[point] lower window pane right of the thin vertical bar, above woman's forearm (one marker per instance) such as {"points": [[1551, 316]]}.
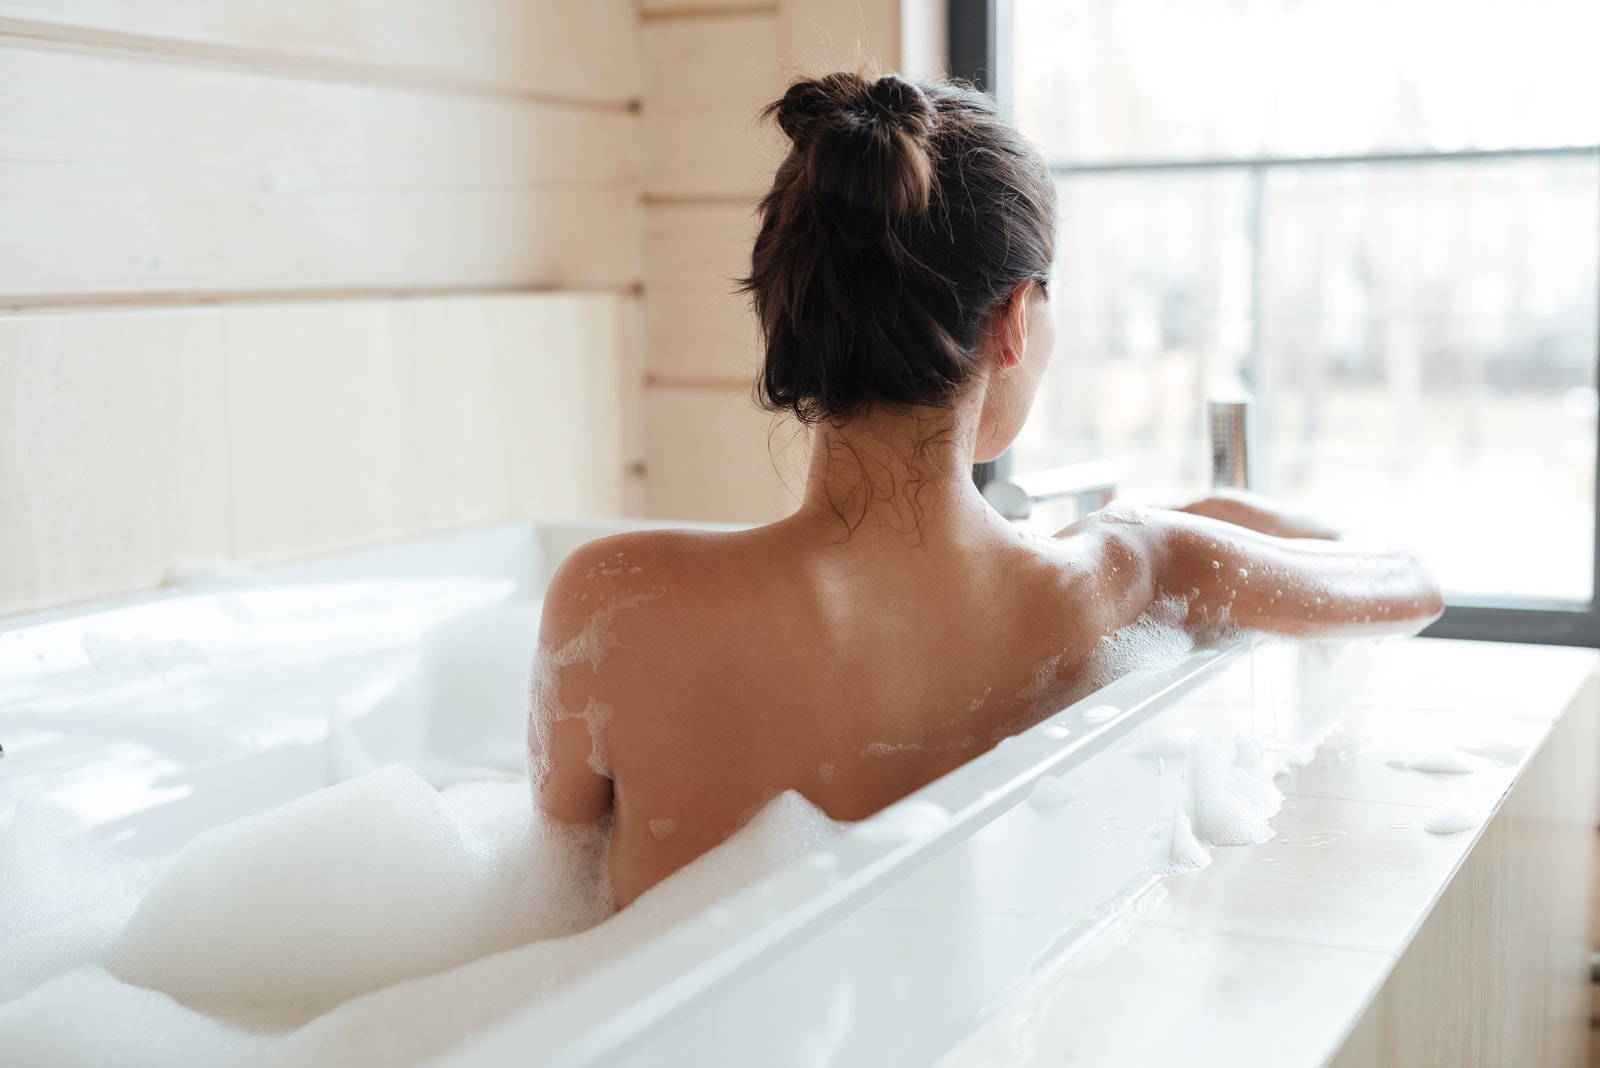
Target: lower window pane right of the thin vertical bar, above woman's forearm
{"points": [[1430, 361]]}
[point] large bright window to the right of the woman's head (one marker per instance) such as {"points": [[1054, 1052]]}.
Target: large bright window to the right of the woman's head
{"points": [[1382, 221]]}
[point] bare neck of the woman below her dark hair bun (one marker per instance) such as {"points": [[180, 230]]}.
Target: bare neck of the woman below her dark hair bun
{"points": [[905, 476]]}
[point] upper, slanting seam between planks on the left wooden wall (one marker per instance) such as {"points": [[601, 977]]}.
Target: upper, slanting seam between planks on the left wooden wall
{"points": [[73, 39]]}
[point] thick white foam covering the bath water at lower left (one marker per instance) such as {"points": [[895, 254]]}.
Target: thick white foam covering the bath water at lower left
{"points": [[377, 922]]}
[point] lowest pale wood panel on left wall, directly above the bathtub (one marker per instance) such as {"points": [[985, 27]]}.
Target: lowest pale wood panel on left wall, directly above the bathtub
{"points": [[278, 431]]}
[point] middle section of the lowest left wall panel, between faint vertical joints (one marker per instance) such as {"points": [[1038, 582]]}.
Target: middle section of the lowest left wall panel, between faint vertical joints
{"points": [[337, 426]]}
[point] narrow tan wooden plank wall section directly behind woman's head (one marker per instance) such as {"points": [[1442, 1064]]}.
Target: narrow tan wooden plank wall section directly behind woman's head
{"points": [[710, 70]]}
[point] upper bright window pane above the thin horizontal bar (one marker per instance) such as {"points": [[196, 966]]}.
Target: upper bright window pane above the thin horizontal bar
{"points": [[1215, 79]]}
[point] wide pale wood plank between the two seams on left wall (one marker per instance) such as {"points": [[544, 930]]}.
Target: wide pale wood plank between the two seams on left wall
{"points": [[132, 177]]}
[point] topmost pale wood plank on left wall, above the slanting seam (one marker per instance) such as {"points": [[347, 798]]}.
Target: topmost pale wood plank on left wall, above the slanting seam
{"points": [[530, 47]]}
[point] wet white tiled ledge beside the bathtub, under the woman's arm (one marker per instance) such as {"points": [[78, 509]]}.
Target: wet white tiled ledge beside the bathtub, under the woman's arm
{"points": [[1273, 955]]}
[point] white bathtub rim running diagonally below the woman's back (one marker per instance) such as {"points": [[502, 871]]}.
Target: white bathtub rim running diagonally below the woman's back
{"points": [[620, 1006]]}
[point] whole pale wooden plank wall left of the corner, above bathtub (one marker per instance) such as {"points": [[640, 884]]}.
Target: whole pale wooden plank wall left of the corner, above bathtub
{"points": [[279, 279]]}
